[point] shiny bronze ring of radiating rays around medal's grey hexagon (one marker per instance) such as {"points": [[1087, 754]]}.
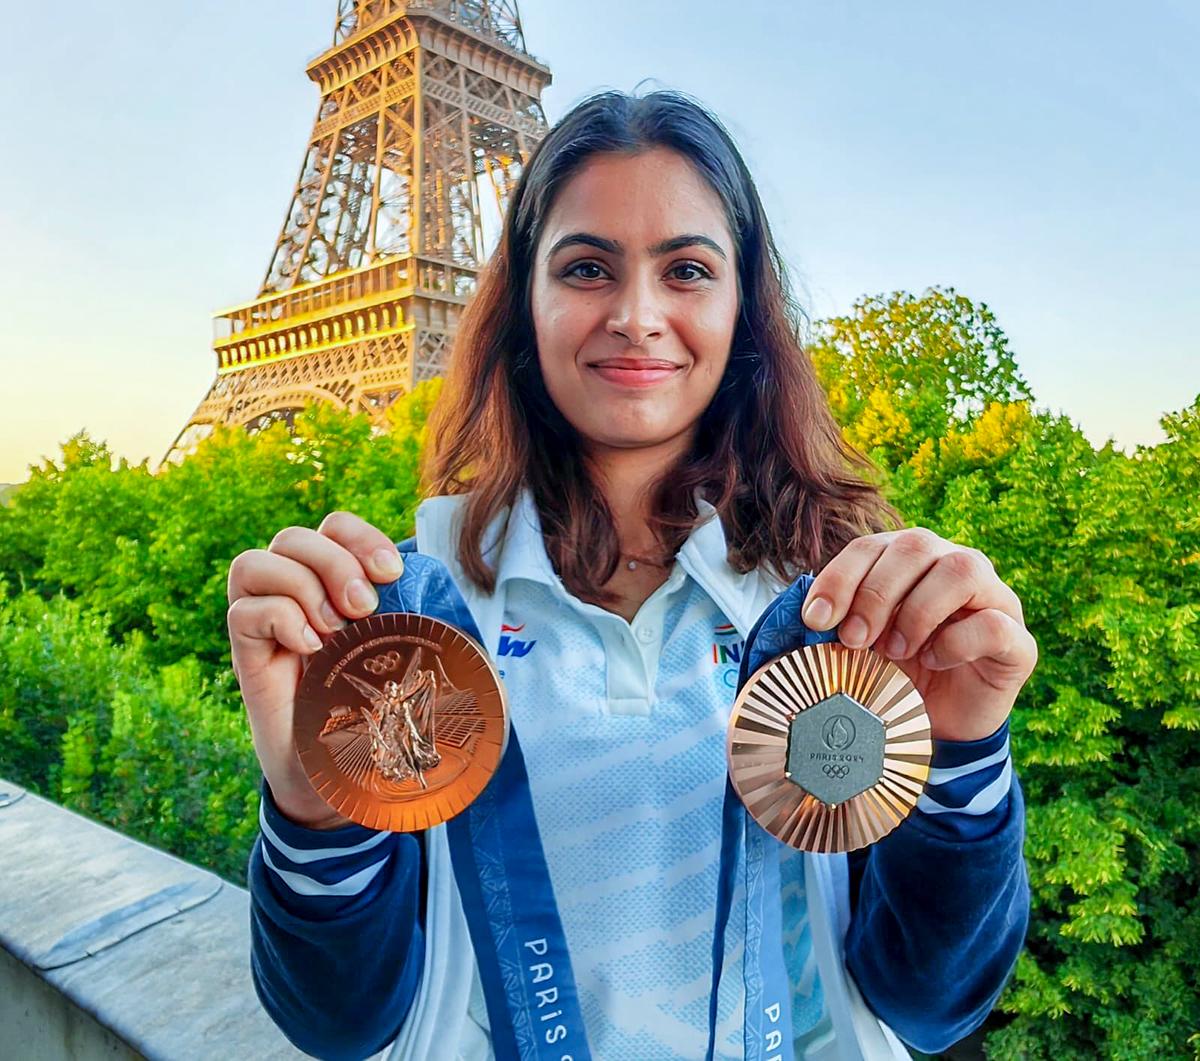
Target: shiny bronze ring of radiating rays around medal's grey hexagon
{"points": [[759, 736]]}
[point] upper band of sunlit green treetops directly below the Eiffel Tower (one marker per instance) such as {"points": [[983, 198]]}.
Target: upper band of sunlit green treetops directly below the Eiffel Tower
{"points": [[153, 553]]}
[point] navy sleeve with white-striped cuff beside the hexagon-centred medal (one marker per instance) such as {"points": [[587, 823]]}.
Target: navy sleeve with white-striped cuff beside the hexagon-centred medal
{"points": [[941, 904]]}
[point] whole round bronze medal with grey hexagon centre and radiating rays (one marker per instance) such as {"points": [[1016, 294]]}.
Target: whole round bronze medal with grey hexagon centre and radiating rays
{"points": [[830, 747]]}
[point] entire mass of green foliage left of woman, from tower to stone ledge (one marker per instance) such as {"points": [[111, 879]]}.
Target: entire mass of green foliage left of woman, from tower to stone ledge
{"points": [[117, 697]]}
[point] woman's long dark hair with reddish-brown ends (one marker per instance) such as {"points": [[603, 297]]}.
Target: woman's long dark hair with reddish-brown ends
{"points": [[769, 455]]}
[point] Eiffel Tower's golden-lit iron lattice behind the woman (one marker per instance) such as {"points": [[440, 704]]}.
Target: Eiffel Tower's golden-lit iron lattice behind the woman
{"points": [[428, 112]]}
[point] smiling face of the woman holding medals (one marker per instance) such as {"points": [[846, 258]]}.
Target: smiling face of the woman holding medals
{"points": [[635, 301]]}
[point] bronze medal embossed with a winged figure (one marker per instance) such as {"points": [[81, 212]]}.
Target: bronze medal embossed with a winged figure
{"points": [[400, 722]]}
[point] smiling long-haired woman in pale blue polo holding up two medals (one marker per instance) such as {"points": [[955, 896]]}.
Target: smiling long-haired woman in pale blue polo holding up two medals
{"points": [[632, 463]]}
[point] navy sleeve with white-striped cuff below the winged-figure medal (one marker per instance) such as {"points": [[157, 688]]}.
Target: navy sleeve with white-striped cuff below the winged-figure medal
{"points": [[337, 932]]}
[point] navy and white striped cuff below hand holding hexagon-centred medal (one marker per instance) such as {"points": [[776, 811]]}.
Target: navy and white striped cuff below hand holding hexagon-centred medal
{"points": [[970, 782]]}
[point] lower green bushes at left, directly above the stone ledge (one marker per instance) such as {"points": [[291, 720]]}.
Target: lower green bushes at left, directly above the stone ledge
{"points": [[164, 754]]}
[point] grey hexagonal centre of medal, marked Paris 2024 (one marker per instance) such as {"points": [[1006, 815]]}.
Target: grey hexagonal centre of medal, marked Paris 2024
{"points": [[836, 750]]}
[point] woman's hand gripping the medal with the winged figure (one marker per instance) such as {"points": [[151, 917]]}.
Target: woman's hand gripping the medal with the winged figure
{"points": [[305, 584]]}
